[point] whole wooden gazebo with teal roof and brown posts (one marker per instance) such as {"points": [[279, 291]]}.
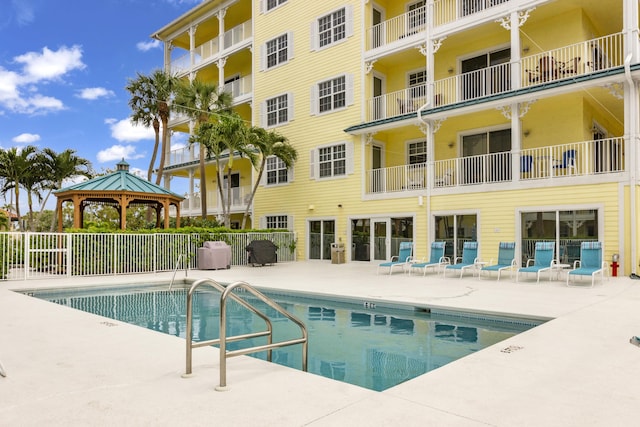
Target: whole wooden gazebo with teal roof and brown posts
{"points": [[118, 189]]}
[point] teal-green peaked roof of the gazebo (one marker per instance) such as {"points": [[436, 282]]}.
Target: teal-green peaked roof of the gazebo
{"points": [[120, 180]]}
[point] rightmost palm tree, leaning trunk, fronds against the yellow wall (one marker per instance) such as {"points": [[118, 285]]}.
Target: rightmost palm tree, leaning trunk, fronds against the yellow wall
{"points": [[268, 143]]}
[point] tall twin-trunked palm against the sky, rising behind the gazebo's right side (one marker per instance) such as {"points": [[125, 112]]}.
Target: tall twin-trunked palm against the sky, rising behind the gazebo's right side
{"points": [[150, 97]]}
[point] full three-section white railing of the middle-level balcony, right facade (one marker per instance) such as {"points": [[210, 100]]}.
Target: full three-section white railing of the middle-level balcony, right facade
{"points": [[584, 58]]}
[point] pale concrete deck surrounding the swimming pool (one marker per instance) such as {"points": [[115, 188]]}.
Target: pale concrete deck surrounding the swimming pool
{"points": [[66, 367]]}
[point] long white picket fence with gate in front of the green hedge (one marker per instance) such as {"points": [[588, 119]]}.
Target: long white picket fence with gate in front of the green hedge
{"points": [[41, 255]]}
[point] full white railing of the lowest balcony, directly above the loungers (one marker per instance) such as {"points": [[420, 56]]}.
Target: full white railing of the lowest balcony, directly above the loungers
{"points": [[551, 163]]}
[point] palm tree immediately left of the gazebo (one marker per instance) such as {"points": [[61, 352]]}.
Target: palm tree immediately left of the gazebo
{"points": [[62, 166]]}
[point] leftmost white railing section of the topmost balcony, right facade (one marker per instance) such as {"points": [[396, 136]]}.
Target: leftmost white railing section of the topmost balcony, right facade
{"points": [[397, 28]]}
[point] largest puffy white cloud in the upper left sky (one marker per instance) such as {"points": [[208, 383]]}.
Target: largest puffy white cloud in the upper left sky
{"points": [[50, 65]]}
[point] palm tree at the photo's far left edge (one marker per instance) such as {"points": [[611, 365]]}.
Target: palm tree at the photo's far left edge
{"points": [[15, 166]]}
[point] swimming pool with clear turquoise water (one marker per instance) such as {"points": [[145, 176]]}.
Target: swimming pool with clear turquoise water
{"points": [[370, 344]]}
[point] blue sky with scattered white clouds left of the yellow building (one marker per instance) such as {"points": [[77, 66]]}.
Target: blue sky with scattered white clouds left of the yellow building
{"points": [[64, 65]]}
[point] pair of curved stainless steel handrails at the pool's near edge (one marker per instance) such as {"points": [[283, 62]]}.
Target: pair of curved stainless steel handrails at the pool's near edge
{"points": [[227, 292]]}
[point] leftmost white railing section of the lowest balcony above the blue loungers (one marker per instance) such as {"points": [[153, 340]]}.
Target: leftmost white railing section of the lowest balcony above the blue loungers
{"points": [[396, 178]]}
